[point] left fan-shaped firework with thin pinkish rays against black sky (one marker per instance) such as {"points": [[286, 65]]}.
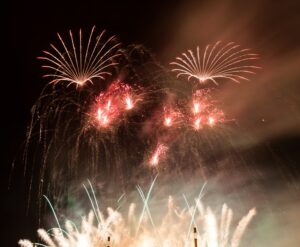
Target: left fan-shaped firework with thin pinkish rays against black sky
{"points": [[78, 63]]}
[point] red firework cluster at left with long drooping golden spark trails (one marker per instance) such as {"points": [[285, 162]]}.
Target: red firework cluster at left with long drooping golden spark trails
{"points": [[81, 133]]}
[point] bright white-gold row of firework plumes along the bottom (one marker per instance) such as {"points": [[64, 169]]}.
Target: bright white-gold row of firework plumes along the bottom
{"points": [[138, 227]]}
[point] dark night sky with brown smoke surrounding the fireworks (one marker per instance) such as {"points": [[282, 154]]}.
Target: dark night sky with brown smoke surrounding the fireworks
{"points": [[166, 28]]}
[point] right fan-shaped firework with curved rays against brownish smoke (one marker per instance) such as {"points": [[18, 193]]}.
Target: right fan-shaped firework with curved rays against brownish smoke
{"points": [[228, 62]]}
